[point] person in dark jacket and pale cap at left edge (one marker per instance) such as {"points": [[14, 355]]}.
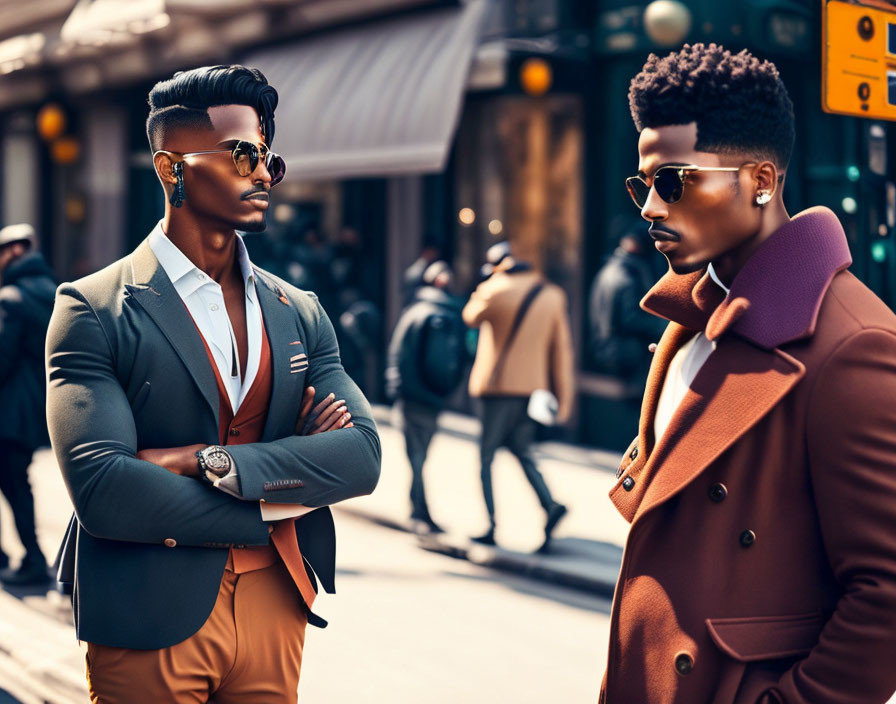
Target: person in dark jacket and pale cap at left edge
{"points": [[27, 289]]}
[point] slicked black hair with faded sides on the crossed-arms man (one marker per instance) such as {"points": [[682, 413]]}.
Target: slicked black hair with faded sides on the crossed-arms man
{"points": [[183, 100]]}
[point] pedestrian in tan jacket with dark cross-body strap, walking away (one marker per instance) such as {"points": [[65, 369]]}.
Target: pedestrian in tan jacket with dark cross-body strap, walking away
{"points": [[524, 347]]}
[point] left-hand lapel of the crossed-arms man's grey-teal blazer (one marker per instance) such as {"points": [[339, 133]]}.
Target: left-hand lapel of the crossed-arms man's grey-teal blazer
{"points": [[155, 293]]}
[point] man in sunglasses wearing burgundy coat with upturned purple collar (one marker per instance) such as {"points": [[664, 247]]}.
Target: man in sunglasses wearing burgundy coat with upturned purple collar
{"points": [[760, 567]]}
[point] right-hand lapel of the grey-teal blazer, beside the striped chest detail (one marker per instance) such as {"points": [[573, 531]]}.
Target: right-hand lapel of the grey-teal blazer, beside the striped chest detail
{"points": [[281, 325]]}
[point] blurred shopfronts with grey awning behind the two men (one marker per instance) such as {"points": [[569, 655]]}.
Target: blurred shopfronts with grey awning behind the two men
{"points": [[407, 125]]}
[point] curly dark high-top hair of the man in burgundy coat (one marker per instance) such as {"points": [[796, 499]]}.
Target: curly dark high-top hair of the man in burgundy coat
{"points": [[739, 103]]}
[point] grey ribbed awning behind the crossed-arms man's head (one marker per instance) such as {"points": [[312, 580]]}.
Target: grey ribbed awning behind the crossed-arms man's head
{"points": [[375, 99]]}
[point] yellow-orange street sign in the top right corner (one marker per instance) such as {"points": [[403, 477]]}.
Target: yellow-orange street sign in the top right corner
{"points": [[859, 58]]}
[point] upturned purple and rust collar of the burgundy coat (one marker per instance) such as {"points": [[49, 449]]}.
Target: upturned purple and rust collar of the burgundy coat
{"points": [[775, 297]]}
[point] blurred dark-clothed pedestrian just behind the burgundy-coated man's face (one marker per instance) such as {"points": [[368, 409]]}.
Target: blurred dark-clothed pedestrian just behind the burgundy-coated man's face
{"points": [[620, 331]]}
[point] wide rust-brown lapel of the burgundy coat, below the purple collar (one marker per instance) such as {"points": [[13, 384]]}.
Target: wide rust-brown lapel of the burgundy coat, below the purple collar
{"points": [[738, 385]]}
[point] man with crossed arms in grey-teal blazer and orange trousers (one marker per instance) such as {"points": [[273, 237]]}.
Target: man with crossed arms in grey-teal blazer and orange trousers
{"points": [[181, 380]]}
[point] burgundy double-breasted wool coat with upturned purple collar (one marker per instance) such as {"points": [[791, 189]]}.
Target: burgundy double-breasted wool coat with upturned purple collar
{"points": [[760, 565]]}
